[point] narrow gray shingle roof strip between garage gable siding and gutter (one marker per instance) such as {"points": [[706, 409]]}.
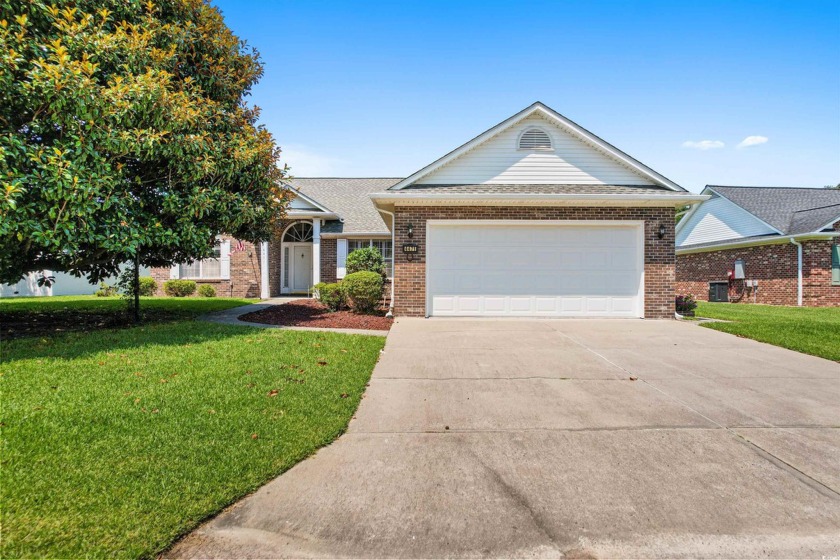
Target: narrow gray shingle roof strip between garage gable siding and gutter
{"points": [[541, 189]]}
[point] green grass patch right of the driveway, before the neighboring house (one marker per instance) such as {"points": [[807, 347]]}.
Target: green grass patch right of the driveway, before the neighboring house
{"points": [[812, 330]]}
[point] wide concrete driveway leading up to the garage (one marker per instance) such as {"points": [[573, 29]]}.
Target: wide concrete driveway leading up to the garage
{"points": [[553, 438]]}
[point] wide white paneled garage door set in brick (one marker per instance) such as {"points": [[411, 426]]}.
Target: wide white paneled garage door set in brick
{"points": [[534, 269]]}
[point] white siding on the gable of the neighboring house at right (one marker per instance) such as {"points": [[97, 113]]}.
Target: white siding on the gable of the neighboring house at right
{"points": [[718, 219]]}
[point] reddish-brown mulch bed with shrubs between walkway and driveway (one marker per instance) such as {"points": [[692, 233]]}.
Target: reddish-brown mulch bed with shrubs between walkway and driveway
{"points": [[312, 313]]}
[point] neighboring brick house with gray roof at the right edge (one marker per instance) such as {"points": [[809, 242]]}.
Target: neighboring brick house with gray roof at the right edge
{"points": [[784, 239]]}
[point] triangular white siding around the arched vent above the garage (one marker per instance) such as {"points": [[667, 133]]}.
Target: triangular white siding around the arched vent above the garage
{"points": [[500, 161]]}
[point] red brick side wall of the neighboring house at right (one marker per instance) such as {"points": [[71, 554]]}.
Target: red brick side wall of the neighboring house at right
{"points": [[774, 266]]}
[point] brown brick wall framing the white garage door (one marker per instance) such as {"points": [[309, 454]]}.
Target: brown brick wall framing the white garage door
{"points": [[410, 298]]}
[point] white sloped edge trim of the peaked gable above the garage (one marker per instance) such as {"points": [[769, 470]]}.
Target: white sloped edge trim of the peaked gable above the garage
{"points": [[570, 127]]}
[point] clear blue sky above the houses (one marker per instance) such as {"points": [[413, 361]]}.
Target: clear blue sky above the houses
{"points": [[384, 88]]}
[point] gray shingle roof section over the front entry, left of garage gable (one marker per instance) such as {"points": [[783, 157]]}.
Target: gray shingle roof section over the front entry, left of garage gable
{"points": [[350, 199]]}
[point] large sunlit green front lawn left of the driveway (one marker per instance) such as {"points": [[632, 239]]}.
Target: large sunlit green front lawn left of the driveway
{"points": [[37, 364]]}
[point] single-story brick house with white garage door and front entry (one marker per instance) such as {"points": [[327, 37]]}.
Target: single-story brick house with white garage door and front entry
{"points": [[536, 216]]}
